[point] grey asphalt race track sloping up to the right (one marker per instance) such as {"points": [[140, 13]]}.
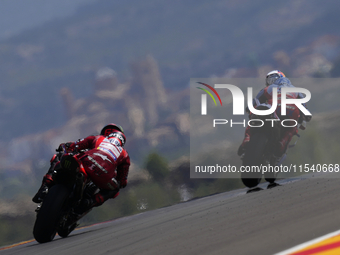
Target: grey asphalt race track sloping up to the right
{"points": [[263, 222]]}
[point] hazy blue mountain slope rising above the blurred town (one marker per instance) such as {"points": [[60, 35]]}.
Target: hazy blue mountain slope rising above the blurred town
{"points": [[187, 38]]}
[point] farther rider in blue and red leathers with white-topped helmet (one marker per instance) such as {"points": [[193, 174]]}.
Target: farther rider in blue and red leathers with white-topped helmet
{"points": [[277, 79]]}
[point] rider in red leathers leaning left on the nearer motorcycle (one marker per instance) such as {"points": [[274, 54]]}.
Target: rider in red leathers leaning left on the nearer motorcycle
{"points": [[105, 160]]}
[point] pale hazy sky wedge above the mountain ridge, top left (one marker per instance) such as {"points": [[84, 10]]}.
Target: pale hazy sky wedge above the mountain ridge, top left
{"points": [[18, 15]]}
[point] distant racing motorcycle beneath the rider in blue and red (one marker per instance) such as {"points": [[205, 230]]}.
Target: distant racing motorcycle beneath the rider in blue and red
{"points": [[259, 151]]}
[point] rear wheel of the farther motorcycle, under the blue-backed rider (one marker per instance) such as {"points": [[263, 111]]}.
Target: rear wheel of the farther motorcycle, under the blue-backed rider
{"points": [[254, 157]]}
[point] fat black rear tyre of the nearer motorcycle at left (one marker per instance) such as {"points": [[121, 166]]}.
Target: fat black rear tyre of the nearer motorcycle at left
{"points": [[45, 227]]}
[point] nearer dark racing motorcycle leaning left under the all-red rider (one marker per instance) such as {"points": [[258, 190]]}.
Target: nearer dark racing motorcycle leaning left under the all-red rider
{"points": [[56, 213]]}
